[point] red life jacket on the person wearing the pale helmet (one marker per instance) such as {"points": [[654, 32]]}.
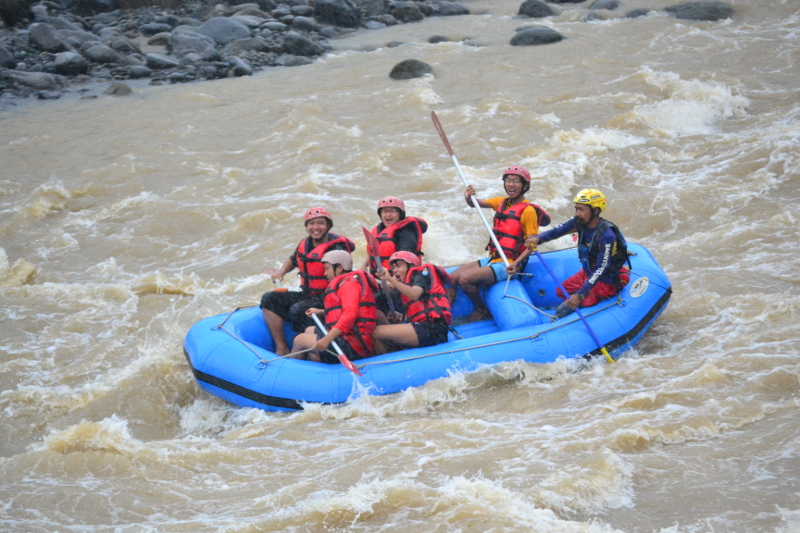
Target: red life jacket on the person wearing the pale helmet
{"points": [[360, 336]]}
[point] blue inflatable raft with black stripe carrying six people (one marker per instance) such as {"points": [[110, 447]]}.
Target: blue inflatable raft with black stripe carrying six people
{"points": [[231, 354]]}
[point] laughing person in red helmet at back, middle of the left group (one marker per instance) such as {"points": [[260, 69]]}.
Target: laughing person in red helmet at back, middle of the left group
{"points": [[396, 232]]}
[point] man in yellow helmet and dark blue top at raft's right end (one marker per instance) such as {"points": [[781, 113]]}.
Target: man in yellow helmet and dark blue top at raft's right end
{"points": [[602, 251]]}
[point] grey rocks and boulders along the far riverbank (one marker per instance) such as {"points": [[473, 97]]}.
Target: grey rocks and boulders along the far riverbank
{"points": [[48, 46]]}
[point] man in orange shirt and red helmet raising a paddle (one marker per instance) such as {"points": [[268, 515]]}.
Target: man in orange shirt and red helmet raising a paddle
{"points": [[515, 218]]}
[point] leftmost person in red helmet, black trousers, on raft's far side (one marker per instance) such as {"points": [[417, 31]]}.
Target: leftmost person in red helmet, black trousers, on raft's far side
{"points": [[291, 306]]}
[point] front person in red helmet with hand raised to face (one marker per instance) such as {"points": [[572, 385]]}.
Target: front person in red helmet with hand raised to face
{"points": [[423, 291]]}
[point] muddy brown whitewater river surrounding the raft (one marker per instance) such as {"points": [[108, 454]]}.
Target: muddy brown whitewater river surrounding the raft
{"points": [[123, 221]]}
